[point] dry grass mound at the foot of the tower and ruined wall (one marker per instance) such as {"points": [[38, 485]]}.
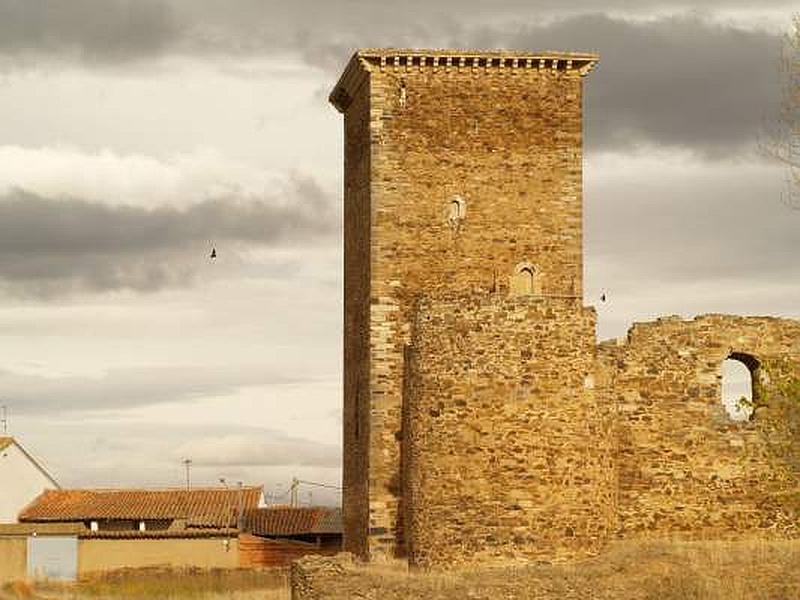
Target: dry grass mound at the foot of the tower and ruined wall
{"points": [[751, 570]]}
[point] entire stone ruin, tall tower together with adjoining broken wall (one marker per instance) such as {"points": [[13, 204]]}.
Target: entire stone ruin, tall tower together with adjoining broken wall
{"points": [[482, 422]]}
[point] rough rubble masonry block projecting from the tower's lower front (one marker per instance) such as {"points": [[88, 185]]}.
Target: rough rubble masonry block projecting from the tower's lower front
{"points": [[509, 453]]}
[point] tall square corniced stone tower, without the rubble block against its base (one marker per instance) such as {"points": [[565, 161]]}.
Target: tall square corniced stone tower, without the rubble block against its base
{"points": [[462, 176]]}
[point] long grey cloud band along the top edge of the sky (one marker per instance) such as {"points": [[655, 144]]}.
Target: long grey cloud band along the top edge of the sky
{"points": [[123, 30]]}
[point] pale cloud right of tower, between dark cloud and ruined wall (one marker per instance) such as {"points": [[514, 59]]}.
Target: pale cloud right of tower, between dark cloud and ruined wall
{"points": [[688, 238]]}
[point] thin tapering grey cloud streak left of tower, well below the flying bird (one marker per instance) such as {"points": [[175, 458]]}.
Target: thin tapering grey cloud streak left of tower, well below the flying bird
{"points": [[120, 389]]}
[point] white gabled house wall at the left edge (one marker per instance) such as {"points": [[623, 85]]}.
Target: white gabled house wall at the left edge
{"points": [[22, 479]]}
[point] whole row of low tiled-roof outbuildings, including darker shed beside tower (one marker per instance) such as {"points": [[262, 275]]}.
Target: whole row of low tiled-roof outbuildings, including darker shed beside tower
{"points": [[68, 534]]}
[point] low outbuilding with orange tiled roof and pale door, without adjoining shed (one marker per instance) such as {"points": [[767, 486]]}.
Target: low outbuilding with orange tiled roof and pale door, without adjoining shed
{"points": [[66, 534]]}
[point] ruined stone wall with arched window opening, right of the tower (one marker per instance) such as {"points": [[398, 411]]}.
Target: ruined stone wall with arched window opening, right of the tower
{"points": [[685, 468]]}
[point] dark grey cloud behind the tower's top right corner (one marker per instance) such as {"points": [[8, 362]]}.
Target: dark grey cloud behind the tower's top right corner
{"points": [[679, 81]]}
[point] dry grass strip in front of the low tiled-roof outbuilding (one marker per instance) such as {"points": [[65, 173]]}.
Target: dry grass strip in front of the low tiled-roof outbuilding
{"points": [[149, 584]]}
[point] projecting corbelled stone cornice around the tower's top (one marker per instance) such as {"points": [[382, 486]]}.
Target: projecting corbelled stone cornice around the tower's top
{"points": [[399, 59]]}
